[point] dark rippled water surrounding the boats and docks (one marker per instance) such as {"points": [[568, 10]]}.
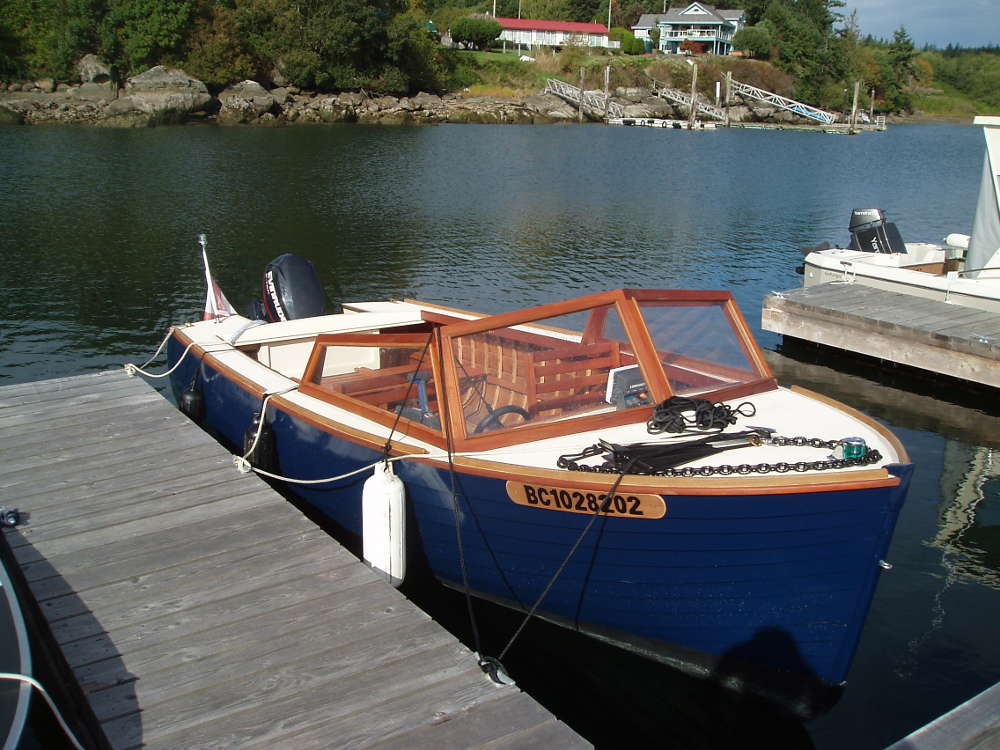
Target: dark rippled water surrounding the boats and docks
{"points": [[99, 256]]}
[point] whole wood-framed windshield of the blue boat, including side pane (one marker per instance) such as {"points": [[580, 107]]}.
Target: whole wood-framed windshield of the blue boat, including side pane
{"points": [[581, 364]]}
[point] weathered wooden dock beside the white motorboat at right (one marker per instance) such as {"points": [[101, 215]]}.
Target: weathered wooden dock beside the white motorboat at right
{"points": [[940, 338]]}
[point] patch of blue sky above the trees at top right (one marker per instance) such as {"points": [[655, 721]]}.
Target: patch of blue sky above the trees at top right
{"points": [[969, 23]]}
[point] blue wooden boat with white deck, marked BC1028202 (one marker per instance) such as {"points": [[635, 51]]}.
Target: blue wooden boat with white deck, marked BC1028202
{"points": [[540, 470]]}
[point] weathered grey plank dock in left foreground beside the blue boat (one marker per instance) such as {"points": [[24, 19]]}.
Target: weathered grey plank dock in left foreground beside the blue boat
{"points": [[197, 608]]}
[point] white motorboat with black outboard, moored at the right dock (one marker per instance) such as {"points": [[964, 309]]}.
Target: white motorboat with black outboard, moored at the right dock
{"points": [[963, 271]]}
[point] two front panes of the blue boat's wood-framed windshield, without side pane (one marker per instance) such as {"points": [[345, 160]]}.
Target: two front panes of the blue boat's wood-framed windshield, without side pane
{"points": [[612, 354]]}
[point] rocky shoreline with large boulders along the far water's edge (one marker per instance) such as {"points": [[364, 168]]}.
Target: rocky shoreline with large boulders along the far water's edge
{"points": [[168, 96]]}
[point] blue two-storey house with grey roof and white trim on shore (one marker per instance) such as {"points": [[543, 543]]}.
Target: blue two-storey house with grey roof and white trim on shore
{"points": [[699, 23]]}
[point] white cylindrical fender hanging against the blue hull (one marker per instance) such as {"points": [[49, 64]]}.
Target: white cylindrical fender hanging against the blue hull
{"points": [[383, 523]]}
